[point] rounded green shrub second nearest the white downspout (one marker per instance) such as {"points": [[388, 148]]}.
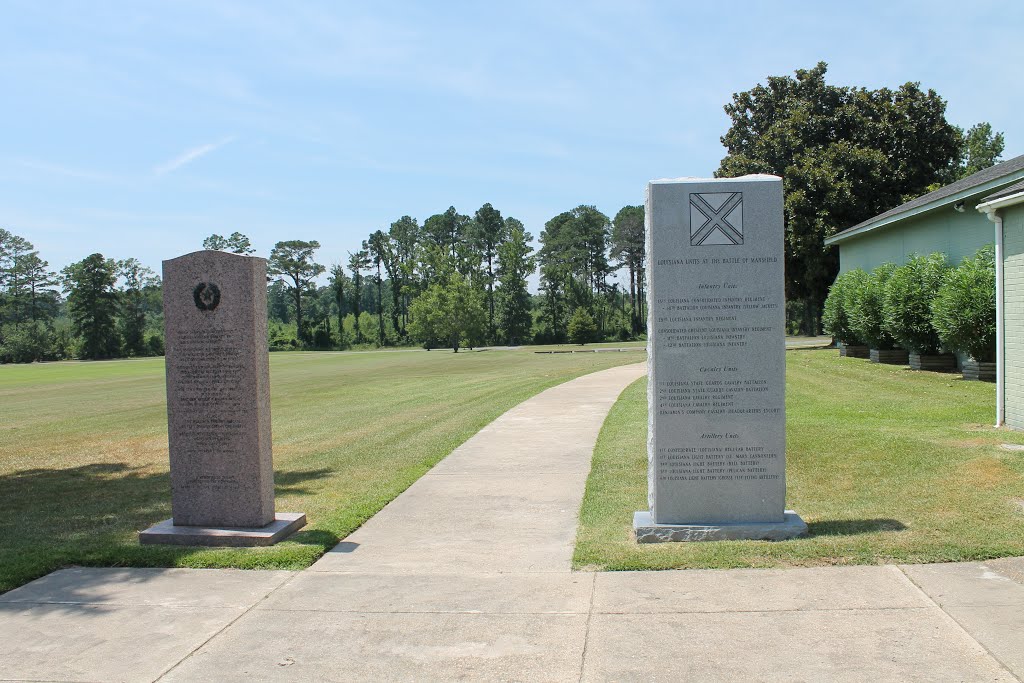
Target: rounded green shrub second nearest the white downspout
{"points": [[907, 306]]}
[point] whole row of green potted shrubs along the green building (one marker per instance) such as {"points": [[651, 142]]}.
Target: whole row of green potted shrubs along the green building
{"points": [[923, 307]]}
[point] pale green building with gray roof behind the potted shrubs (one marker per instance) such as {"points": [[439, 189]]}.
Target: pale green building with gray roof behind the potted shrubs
{"points": [[959, 220]]}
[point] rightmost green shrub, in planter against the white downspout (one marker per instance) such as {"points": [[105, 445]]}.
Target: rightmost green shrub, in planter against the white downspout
{"points": [[964, 310]]}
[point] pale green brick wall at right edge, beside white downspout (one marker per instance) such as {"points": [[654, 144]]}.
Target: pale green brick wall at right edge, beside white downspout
{"points": [[1013, 303]]}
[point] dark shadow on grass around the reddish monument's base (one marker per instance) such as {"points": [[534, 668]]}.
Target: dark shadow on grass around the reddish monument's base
{"points": [[90, 517]]}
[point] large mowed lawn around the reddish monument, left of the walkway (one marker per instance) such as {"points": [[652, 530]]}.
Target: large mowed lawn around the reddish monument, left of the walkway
{"points": [[83, 448]]}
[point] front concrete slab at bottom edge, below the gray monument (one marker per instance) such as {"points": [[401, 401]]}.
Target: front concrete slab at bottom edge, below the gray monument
{"points": [[869, 646]]}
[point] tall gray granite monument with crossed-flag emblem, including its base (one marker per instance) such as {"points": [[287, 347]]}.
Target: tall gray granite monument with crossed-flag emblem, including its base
{"points": [[716, 348]]}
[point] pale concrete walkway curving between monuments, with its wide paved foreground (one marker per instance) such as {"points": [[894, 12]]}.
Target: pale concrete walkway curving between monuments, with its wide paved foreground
{"points": [[467, 577]]}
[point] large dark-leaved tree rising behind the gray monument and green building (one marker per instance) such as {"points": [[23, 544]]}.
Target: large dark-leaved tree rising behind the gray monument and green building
{"points": [[846, 154]]}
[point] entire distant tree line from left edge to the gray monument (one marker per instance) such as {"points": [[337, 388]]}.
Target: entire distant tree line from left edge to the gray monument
{"points": [[455, 281]]}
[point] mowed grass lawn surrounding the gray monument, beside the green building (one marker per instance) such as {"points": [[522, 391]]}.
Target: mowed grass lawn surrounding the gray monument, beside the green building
{"points": [[885, 464]]}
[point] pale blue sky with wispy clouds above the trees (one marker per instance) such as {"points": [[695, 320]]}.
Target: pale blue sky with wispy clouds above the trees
{"points": [[139, 129]]}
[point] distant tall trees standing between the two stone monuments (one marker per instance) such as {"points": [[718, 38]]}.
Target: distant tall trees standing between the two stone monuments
{"points": [[460, 280]]}
